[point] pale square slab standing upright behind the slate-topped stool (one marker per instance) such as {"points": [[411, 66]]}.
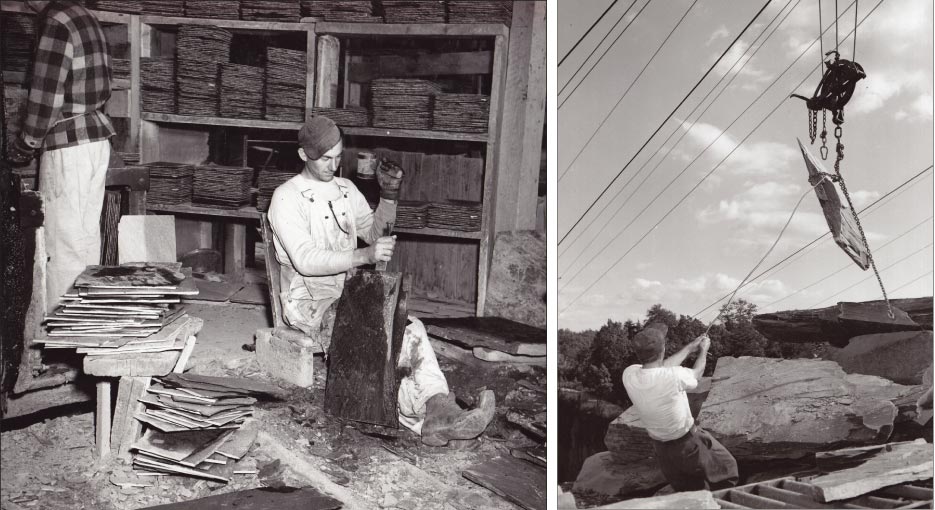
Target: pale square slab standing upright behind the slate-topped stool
{"points": [[146, 237]]}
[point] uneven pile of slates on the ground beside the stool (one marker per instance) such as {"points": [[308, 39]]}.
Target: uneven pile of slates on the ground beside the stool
{"points": [[200, 425]]}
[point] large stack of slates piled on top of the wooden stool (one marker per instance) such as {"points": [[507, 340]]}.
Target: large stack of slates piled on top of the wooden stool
{"points": [[110, 303]]}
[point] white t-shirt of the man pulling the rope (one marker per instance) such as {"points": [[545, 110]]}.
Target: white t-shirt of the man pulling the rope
{"points": [[659, 395]]}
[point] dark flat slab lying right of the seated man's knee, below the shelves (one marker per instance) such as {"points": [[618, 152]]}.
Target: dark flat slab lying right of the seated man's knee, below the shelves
{"points": [[491, 332]]}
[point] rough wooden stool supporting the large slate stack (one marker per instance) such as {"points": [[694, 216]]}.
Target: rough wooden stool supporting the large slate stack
{"points": [[135, 372]]}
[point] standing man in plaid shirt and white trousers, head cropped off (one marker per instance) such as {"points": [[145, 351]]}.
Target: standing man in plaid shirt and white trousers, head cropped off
{"points": [[66, 128]]}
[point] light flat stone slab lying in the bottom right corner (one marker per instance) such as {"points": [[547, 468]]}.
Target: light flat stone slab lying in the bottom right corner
{"points": [[897, 463]]}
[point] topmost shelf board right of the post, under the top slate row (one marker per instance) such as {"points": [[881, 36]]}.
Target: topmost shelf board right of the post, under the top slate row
{"points": [[410, 29]]}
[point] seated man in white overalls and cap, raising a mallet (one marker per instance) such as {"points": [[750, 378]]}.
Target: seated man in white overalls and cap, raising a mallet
{"points": [[316, 218]]}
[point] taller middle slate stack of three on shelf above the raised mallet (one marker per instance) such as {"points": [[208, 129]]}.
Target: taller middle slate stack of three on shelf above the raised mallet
{"points": [[402, 102]]}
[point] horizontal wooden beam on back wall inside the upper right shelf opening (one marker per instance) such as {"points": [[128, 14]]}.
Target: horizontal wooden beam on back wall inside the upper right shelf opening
{"points": [[366, 68]]}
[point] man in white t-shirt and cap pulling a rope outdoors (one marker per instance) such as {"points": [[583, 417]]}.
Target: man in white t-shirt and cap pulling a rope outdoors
{"points": [[689, 457]]}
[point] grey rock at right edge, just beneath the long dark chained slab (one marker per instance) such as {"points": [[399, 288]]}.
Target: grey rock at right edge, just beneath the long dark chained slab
{"points": [[899, 357]]}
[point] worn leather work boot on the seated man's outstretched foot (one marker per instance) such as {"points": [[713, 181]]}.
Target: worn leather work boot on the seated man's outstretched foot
{"points": [[445, 420]]}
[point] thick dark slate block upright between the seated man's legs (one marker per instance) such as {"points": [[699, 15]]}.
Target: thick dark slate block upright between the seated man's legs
{"points": [[362, 381]]}
